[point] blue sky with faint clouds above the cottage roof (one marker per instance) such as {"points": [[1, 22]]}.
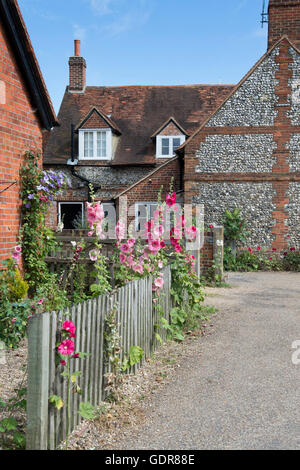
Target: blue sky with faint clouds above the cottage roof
{"points": [[146, 42]]}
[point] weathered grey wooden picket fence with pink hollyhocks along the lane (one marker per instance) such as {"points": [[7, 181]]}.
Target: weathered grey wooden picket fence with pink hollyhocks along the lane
{"points": [[137, 320]]}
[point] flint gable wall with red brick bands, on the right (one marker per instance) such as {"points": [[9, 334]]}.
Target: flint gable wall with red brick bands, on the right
{"points": [[256, 168]]}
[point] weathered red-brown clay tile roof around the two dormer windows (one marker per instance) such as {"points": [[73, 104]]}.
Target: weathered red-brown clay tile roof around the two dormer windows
{"points": [[138, 111]]}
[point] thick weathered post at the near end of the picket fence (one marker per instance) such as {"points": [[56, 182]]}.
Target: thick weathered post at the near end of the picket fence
{"points": [[38, 382]]}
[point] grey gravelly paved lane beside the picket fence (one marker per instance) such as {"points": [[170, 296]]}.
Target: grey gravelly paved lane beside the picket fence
{"points": [[239, 389]]}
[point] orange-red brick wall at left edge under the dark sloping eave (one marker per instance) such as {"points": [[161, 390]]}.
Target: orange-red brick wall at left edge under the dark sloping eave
{"points": [[19, 131]]}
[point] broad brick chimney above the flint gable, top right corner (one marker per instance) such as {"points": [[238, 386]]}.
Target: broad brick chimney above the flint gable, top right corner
{"points": [[284, 19]]}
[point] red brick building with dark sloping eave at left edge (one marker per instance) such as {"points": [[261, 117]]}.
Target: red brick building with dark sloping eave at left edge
{"points": [[25, 111]]}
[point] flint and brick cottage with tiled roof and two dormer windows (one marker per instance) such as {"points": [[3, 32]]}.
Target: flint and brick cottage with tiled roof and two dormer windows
{"points": [[225, 146]]}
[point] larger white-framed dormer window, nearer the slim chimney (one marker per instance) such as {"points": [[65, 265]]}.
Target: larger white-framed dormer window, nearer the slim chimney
{"points": [[95, 144]]}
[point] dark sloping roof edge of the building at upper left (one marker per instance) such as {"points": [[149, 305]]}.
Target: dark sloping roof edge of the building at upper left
{"points": [[17, 33]]}
